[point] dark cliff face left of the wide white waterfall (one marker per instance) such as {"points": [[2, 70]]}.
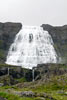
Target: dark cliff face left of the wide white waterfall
{"points": [[7, 35]]}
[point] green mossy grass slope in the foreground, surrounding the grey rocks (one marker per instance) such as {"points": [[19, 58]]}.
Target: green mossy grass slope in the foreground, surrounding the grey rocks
{"points": [[56, 88]]}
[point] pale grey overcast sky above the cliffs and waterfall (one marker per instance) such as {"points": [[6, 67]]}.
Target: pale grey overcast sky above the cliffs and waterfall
{"points": [[34, 12]]}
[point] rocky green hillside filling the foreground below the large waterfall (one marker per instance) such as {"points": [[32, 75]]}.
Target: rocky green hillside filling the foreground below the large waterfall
{"points": [[50, 84]]}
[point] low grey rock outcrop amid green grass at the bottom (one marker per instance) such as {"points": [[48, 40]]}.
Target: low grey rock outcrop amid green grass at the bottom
{"points": [[30, 94]]}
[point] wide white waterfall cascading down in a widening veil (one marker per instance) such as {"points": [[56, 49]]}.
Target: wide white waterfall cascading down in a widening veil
{"points": [[32, 46]]}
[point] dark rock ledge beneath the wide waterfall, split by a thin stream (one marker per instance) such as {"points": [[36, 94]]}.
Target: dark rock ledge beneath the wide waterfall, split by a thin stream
{"points": [[42, 73]]}
